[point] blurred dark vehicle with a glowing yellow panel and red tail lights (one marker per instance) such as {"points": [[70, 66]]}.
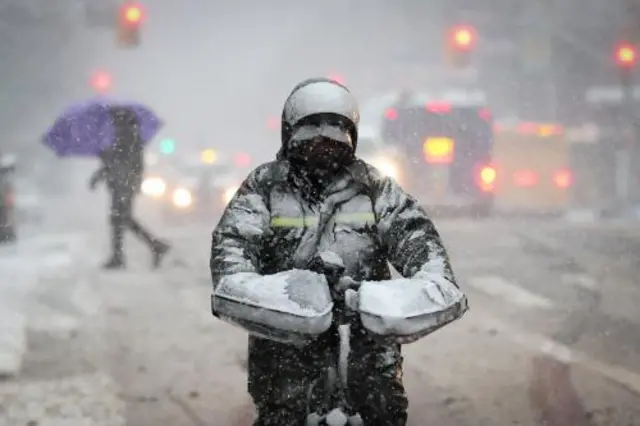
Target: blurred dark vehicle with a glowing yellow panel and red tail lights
{"points": [[444, 150]]}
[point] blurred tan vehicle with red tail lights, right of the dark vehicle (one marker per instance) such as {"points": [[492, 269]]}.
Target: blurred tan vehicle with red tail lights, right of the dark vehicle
{"points": [[531, 160]]}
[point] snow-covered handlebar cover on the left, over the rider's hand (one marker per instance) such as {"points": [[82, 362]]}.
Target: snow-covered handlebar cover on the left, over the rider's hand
{"points": [[293, 306]]}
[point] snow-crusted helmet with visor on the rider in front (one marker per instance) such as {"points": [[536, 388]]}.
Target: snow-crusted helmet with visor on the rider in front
{"points": [[315, 100]]}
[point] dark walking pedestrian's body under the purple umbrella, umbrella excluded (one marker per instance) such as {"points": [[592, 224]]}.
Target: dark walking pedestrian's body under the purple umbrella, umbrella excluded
{"points": [[122, 170]]}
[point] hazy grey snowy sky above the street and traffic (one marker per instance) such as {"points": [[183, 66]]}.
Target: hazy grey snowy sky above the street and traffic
{"points": [[219, 72]]}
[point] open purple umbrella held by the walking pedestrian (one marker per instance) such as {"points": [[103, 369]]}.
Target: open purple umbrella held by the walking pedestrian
{"points": [[85, 129]]}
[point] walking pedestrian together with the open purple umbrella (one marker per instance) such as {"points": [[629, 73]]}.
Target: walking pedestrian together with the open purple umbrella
{"points": [[116, 134]]}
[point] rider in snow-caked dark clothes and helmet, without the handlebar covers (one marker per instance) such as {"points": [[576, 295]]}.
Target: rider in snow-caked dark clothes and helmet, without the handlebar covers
{"points": [[318, 196]]}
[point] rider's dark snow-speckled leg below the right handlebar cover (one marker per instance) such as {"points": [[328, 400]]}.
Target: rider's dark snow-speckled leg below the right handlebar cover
{"points": [[377, 390]]}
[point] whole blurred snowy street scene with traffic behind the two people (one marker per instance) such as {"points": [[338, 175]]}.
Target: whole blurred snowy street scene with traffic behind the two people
{"points": [[550, 90]]}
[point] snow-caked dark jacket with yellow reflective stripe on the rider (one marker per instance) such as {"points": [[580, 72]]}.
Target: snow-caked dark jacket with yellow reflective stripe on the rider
{"points": [[365, 218]]}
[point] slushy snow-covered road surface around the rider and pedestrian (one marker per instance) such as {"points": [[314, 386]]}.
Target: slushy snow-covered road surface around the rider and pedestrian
{"points": [[552, 336]]}
